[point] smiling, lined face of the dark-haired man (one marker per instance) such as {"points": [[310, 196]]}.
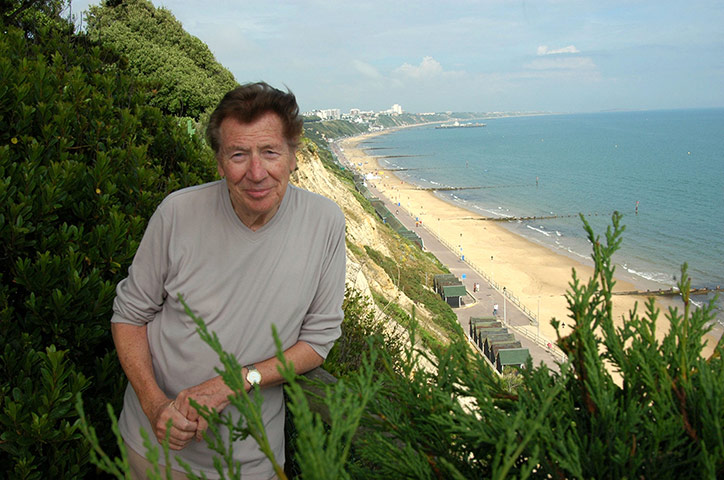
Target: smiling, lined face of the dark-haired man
{"points": [[256, 160]]}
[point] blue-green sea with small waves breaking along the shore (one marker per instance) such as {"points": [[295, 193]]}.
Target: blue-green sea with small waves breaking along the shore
{"points": [[663, 170]]}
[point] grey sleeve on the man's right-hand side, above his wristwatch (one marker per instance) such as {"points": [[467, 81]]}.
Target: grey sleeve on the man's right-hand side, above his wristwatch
{"points": [[322, 323]]}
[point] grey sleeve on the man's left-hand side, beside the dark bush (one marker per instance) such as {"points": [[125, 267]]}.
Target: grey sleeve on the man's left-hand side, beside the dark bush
{"points": [[141, 295]]}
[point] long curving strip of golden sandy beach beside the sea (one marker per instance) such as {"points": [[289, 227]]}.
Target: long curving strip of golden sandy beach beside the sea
{"points": [[538, 276]]}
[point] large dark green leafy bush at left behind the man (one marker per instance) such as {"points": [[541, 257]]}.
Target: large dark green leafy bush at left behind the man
{"points": [[84, 161]]}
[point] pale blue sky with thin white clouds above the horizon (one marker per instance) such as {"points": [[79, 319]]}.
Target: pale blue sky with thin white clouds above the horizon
{"points": [[497, 55]]}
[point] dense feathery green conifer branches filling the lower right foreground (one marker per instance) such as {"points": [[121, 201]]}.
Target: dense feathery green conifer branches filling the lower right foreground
{"points": [[448, 415]]}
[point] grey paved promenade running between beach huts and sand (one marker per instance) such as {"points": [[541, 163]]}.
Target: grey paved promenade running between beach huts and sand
{"points": [[480, 303]]}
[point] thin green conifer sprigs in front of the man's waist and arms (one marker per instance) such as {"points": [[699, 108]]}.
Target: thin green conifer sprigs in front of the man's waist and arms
{"points": [[323, 447]]}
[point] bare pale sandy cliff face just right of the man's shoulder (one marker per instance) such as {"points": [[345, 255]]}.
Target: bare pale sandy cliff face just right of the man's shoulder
{"points": [[362, 229]]}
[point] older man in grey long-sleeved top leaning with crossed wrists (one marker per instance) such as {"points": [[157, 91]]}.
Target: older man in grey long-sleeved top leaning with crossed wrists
{"points": [[246, 252]]}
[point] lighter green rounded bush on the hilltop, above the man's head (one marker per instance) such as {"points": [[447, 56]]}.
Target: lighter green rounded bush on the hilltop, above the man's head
{"points": [[185, 77]]}
